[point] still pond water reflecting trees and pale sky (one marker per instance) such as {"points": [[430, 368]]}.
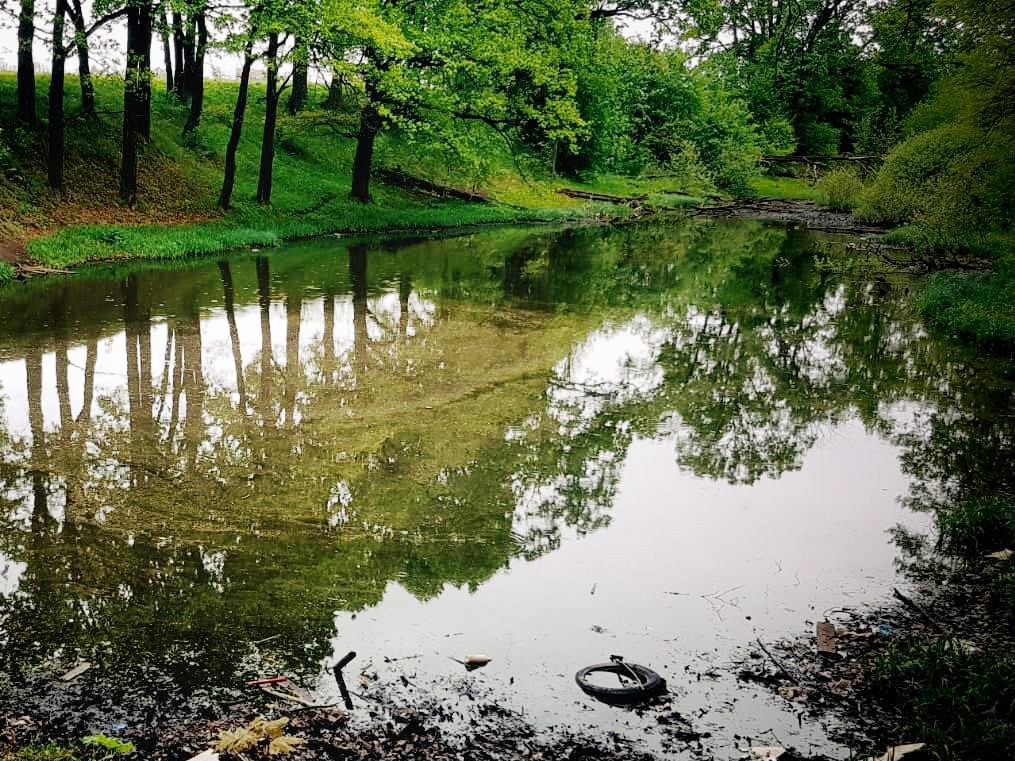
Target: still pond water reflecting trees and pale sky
{"points": [[543, 446]]}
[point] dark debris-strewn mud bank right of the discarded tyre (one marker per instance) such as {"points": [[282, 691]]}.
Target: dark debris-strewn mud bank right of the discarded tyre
{"points": [[840, 670]]}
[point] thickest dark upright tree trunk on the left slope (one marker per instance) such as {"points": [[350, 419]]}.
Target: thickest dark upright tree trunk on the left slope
{"points": [[137, 88]]}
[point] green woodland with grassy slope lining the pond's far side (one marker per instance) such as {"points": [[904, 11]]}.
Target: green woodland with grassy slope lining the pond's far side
{"points": [[506, 101]]}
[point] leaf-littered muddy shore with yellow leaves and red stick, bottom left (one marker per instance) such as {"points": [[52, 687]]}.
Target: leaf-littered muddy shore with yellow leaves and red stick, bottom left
{"points": [[165, 726]]}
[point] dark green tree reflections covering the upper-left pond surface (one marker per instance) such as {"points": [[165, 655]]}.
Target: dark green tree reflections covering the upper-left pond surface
{"points": [[438, 409]]}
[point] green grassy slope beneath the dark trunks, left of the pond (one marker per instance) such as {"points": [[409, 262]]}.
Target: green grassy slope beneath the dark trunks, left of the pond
{"points": [[180, 182]]}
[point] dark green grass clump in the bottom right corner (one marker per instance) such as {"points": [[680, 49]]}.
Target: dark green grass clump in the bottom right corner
{"points": [[961, 704]]}
